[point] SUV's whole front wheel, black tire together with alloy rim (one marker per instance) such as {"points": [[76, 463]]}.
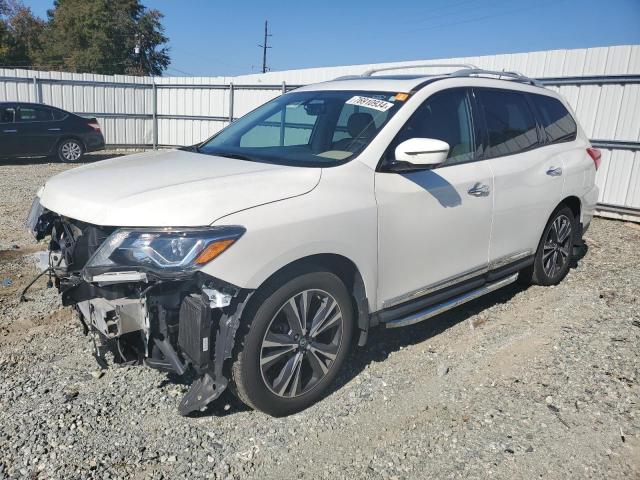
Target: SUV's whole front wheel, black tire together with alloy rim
{"points": [[298, 331]]}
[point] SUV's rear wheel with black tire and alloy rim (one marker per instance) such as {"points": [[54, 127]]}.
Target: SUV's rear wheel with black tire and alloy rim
{"points": [[555, 250]]}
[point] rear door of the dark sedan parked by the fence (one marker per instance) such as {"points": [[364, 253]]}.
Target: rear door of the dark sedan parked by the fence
{"points": [[37, 128]]}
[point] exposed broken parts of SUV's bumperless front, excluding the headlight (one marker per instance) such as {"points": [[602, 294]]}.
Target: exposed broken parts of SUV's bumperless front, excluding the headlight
{"points": [[180, 323]]}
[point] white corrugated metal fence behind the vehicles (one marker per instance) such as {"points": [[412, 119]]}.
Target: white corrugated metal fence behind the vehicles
{"points": [[602, 85]]}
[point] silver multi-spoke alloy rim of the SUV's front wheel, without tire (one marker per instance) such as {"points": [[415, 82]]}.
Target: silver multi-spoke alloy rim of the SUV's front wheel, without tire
{"points": [[301, 343]]}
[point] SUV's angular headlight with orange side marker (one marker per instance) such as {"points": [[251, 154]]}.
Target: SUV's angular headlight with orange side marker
{"points": [[165, 252]]}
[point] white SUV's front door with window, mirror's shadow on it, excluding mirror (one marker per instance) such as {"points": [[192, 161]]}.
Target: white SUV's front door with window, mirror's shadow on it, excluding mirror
{"points": [[434, 225]]}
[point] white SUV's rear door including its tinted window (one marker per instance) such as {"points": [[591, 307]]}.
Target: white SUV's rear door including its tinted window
{"points": [[527, 181]]}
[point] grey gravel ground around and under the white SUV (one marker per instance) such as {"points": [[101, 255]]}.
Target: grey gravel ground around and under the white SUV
{"points": [[542, 382]]}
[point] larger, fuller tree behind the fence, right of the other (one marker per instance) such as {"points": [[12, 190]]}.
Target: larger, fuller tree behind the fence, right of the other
{"points": [[101, 36]]}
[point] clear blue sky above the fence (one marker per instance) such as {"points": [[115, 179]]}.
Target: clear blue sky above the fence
{"points": [[210, 37]]}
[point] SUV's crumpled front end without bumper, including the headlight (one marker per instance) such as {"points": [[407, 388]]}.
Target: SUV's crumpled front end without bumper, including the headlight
{"points": [[141, 295]]}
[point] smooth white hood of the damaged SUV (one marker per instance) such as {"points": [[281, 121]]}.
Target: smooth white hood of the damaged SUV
{"points": [[171, 189]]}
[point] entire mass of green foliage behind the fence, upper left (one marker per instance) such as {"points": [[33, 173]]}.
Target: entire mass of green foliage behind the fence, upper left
{"points": [[97, 36]]}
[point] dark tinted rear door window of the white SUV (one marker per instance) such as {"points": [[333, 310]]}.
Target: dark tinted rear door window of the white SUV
{"points": [[510, 124]]}
